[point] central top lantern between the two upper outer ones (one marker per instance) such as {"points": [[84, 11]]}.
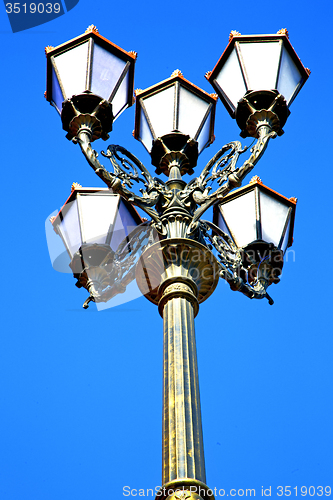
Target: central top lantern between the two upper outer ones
{"points": [[174, 115]]}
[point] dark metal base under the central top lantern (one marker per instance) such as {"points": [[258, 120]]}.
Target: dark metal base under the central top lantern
{"points": [[175, 149]]}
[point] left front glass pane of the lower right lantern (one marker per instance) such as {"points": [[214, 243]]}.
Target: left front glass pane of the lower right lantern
{"points": [[240, 215]]}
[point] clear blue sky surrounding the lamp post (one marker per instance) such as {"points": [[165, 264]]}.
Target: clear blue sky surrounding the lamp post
{"points": [[81, 391]]}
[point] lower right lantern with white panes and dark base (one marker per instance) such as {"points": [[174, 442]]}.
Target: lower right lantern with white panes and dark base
{"points": [[260, 222]]}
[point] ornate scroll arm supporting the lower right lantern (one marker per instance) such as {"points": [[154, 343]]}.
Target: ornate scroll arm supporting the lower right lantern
{"points": [[230, 263]]}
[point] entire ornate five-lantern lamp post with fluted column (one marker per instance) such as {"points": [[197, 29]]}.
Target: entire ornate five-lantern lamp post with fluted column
{"points": [[176, 257]]}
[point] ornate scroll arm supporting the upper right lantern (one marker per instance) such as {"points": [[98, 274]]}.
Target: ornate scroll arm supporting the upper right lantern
{"points": [[230, 175]]}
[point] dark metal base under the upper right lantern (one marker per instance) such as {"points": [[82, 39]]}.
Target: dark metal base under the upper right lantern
{"points": [[264, 107]]}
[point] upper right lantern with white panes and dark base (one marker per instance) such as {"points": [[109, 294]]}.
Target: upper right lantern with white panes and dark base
{"points": [[258, 72]]}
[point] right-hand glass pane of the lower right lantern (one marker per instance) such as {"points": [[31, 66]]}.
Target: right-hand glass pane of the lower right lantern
{"points": [[273, 218]]}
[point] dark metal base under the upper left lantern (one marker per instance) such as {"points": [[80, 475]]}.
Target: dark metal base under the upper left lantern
{"points": [[88, 112]]}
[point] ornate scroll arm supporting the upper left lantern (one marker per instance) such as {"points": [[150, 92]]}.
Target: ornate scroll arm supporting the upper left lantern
{"points": [[124, 174]]}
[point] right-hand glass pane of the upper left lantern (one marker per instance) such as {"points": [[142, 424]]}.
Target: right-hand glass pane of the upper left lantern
{"points": [[106, 70]]}
